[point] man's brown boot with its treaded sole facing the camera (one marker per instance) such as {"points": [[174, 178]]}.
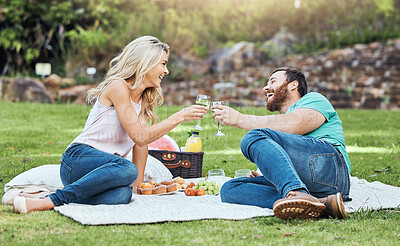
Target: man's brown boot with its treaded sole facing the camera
{"points": [[298, 205]]}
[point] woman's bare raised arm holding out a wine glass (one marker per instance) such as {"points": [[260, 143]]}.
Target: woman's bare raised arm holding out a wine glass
{"points": [[119, 94]]}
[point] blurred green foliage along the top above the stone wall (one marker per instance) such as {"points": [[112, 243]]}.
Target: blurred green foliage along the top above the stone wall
{"points": [[93, 31]]}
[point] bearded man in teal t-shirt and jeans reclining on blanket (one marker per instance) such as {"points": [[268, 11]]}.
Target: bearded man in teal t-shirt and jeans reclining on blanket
{"points": [[300, 152]]}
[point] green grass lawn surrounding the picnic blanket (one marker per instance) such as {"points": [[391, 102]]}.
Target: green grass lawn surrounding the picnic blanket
{"points": [[36, 134]]}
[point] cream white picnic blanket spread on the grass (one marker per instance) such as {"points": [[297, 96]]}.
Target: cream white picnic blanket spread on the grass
{"points": [[179, 207]]}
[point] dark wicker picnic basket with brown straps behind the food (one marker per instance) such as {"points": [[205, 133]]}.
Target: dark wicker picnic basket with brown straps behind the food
{"points": [[183, 164]]}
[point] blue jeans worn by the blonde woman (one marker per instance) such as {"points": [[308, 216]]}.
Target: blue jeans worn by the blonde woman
{"points": [[91, 176]]}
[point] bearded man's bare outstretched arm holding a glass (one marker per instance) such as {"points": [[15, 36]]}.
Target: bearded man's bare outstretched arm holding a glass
{"points": [[299, 121]]}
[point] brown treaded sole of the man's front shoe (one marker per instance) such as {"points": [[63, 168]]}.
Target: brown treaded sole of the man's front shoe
{"points": [[288, 209]]}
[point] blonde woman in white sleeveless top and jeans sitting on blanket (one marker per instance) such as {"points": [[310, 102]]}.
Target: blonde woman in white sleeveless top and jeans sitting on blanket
{"points": [[93, 168]]}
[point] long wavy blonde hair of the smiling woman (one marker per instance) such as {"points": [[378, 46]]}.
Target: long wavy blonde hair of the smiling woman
{"points": [[135, 60]]}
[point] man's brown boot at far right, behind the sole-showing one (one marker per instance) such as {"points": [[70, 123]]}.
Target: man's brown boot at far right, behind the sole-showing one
{"points": [[334, 206]]}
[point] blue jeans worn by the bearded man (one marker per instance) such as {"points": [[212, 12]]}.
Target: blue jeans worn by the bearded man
{"points": [[287, 162]]}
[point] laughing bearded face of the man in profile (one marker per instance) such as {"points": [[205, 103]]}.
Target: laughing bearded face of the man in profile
{"points": [[276, 91]]}
